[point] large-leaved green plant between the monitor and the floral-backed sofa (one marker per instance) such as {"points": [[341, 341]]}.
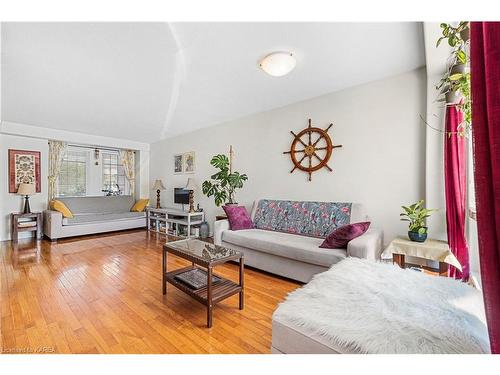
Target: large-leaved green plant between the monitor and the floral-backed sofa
{"points": [[223, 184]]}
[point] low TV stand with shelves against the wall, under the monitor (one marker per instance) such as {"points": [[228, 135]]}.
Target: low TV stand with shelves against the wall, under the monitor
{"points": [[173, 221]]}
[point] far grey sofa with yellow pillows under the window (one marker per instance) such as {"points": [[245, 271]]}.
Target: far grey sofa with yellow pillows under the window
{"points": [[93, 215]]}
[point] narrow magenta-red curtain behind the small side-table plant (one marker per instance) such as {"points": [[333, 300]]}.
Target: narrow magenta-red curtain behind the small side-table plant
{"points": [[455, 191]]}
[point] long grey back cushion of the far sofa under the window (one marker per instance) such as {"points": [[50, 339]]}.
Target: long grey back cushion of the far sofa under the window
{"points": [[99, 205]]}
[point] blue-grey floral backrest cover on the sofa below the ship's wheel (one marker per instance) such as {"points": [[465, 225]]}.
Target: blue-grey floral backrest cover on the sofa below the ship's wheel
{"points": [[316, 219]]}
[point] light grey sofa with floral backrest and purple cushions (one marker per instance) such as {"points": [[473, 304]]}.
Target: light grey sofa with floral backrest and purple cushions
{"points": [[296, 256]]}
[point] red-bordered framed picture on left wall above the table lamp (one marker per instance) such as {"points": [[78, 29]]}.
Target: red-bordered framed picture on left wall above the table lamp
{"points": [[24, 167]]}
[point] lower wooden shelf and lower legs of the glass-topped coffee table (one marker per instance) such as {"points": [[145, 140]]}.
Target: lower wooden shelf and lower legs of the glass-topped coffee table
{"points": [[220, 290]]}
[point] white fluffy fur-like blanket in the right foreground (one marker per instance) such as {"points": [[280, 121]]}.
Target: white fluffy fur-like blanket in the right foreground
{"points": [[370, 307]]}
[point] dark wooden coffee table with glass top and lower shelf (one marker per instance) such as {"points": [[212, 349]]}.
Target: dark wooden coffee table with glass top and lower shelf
{"points": [[191, 280]]}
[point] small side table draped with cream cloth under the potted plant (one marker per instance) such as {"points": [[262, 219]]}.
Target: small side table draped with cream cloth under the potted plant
{"points": [[430, 249]]}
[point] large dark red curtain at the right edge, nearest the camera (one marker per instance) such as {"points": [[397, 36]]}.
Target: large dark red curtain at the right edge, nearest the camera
{"points": [[485, 76]]}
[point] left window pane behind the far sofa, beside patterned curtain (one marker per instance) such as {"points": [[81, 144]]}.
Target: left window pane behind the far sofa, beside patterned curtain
{"points": [[72, 180]]}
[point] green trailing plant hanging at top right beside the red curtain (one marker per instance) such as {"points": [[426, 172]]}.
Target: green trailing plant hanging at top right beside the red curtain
{"points": [[454, 87]]}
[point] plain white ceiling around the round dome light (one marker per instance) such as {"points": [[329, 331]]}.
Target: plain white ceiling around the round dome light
{"points": [[147, 81]]}
